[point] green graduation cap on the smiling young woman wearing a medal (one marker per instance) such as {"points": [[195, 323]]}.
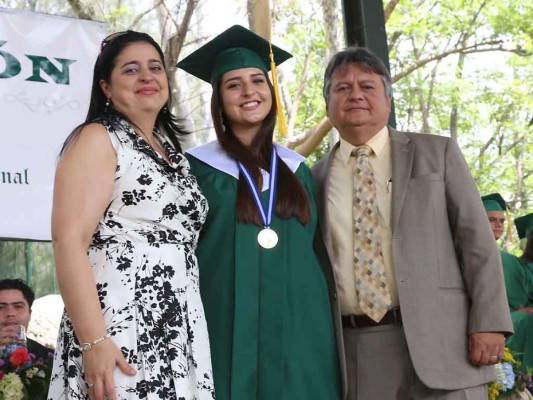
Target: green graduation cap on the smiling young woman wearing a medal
{"points": [[235, 48]]}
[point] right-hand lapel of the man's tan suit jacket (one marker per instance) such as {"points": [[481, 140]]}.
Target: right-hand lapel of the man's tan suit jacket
{"points": [[402, 150]]}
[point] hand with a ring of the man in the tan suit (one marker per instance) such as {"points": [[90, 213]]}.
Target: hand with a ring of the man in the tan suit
{"points": [[485, 348]]}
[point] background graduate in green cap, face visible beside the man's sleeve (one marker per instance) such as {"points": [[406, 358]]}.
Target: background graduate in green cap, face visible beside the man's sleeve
{"points": [[518, 285]]}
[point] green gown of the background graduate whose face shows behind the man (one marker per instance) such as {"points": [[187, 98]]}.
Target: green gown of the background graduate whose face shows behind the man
{"points": [[519, 286]]}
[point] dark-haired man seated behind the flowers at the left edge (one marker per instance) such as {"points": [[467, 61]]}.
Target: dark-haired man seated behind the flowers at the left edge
{"points": [[16, 300]]}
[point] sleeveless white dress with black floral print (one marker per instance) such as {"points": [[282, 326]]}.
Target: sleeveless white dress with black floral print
{"points": [[146, 273]]}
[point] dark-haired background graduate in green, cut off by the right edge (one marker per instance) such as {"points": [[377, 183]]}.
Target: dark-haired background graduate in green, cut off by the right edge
{"points": [[522, 341]]}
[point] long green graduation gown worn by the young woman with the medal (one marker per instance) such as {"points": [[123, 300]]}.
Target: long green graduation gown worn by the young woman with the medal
{"points": [[268, 313]]}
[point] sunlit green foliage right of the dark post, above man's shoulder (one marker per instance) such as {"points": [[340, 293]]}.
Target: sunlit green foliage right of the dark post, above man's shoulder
{"points": [[488, 88]]}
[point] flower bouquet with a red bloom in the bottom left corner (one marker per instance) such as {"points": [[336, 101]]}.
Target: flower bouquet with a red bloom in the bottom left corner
{"points": [[22, 376]]}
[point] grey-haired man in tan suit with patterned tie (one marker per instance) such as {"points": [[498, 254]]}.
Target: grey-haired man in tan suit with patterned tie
{"points": [[446, 314]]}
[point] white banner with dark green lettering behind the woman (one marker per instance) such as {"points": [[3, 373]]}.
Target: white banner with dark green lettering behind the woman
{"points": [[46, 68]]}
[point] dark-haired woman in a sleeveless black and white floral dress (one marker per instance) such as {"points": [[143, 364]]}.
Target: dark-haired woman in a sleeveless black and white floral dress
{"points": [[125, 223]]}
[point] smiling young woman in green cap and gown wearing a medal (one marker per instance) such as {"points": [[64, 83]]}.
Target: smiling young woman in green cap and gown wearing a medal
{"points": [[263, 288]]}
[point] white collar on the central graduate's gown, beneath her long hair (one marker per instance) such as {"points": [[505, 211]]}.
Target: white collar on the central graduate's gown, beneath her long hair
{"points": [[212, 154]]}
